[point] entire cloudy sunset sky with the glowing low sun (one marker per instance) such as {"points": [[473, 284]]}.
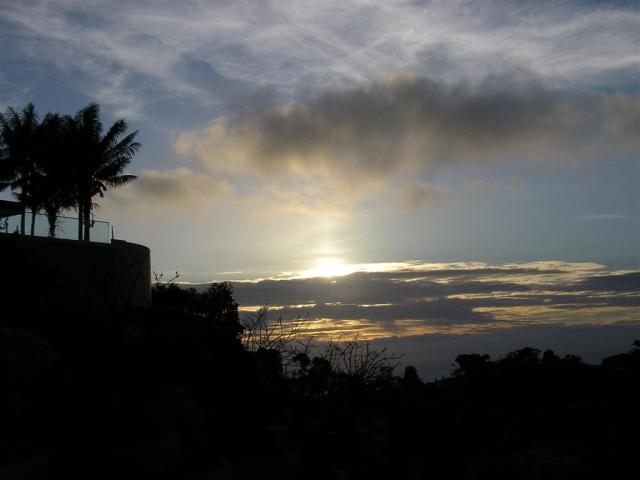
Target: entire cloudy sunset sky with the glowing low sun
{"points": [[305, 142]]}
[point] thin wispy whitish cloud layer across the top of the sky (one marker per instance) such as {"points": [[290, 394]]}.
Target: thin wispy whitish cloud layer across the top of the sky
{"points": [[305, 45]]}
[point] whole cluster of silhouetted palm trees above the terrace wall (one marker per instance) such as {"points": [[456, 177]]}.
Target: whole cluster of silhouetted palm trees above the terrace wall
{"points": [[63, 161]]}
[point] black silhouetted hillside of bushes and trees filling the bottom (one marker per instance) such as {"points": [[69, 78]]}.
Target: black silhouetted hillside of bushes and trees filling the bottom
{"points": [[175, 390]]}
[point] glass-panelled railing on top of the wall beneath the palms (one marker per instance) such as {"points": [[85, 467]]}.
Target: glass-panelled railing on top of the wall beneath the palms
{"points": [[66, 227]]}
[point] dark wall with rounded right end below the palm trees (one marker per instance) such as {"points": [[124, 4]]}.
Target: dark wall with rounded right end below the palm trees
{"points": [[91, 276]]}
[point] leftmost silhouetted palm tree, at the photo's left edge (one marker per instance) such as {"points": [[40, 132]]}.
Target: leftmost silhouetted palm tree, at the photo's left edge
{"points": [[19, 154]]}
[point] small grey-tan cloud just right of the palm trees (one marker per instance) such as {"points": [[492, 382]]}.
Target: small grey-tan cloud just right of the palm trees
{"points": [[180, 190]]}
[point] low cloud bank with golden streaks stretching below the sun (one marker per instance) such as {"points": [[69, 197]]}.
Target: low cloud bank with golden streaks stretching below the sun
{"points": [[417, 298]]}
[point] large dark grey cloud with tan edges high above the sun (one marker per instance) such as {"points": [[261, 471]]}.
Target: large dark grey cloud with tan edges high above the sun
{"points": [[403, 124]]}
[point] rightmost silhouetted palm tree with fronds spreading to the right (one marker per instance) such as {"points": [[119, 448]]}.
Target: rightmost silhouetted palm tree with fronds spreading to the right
{"points": [[98, 160]]}
